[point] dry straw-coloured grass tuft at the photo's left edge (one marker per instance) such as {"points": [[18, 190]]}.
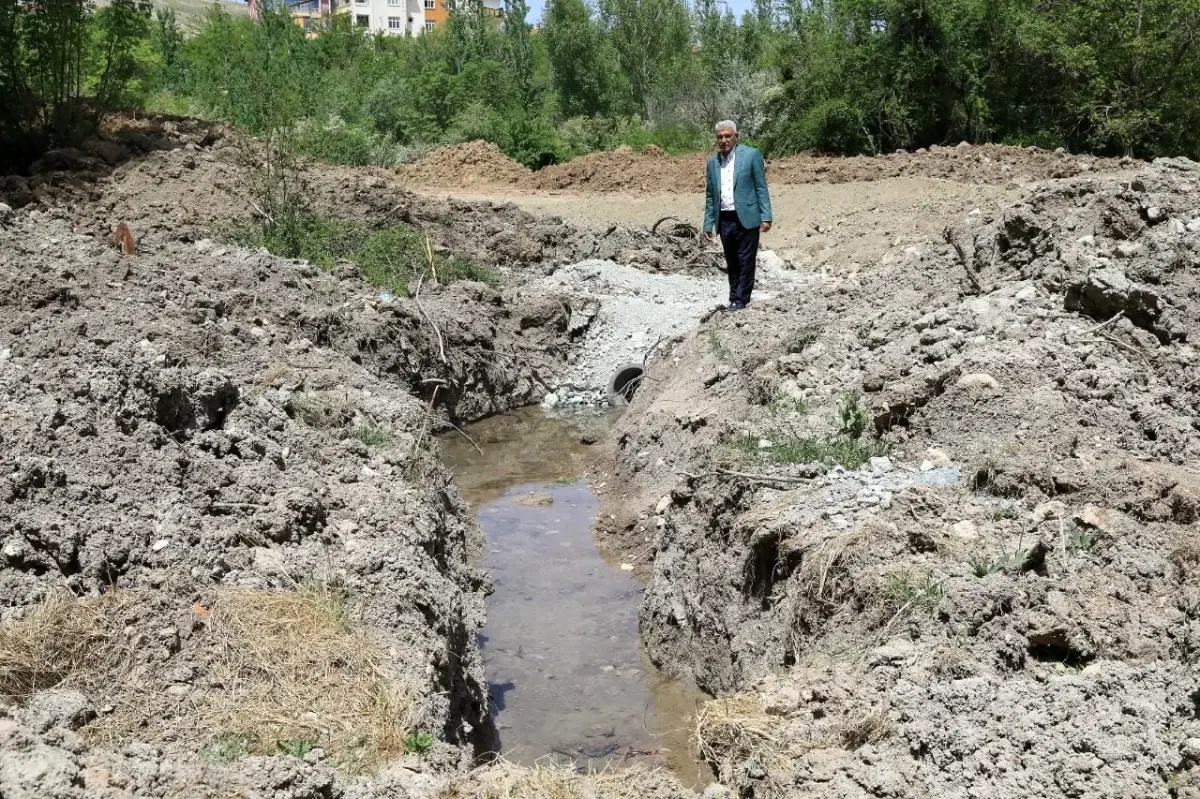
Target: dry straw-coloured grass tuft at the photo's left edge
{"points": [[69, 642]]}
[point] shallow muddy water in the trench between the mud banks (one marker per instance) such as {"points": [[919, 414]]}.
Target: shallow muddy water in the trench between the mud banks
{"points": [[567, 674]]}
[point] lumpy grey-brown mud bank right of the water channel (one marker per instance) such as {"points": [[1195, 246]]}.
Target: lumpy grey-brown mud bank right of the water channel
{"points": [[977, 578]]}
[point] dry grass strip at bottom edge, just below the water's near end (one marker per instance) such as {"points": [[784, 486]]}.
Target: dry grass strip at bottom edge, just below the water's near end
{"points": [[506, 780]]}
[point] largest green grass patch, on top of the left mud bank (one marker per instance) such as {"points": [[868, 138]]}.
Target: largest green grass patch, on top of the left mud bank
{"points": [[392, 259]]}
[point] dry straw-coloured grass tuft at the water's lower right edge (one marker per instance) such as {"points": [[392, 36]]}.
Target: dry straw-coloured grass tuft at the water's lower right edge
{"points": [[736, 730]]}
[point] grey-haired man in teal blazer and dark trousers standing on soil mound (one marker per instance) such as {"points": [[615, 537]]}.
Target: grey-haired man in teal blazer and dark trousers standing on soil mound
{"points": [[737, 206]]}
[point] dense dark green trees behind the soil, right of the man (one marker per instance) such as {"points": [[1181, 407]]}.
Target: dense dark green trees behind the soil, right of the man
{"points": [[868, 76]]}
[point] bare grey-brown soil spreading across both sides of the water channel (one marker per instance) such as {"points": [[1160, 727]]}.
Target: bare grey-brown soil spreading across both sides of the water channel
{"points": [[1003, 603]]}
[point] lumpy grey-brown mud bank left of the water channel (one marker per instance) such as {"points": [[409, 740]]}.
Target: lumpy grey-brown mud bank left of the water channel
{"points": [[232, 562]]}
